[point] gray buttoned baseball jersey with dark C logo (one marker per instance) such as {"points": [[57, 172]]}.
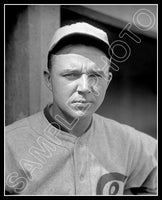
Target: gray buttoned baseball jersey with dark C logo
{"points": [[109, 159]]}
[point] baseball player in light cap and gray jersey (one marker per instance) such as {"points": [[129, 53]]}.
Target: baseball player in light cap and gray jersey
{"points": [[67, 149]]}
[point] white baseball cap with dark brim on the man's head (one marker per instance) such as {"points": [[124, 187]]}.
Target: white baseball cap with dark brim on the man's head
{"points": [[80, 33]]}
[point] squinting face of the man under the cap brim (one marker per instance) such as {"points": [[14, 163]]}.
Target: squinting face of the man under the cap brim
{"points": [[79, 78]]}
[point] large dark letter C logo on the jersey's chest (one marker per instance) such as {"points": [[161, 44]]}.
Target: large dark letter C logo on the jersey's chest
{"points": [[110, 184]]}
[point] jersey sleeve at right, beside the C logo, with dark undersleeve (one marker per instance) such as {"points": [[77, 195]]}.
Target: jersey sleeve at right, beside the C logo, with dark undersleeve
{"points": [[142, 177]]}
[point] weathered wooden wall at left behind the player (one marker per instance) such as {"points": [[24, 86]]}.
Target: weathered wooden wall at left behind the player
{"points": [[28, 34]]}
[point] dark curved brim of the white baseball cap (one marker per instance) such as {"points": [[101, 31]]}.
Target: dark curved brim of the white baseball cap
{"points": [[79, 38]]}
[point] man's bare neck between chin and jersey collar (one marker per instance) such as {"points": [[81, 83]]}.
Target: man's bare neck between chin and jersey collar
{"points": [[74, 126]]}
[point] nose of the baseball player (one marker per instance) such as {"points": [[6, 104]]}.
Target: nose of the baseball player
{"points": [[83, 85]]}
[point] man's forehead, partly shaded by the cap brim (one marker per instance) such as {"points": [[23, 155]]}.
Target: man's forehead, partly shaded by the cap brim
{"points": [[79, 55]]}
